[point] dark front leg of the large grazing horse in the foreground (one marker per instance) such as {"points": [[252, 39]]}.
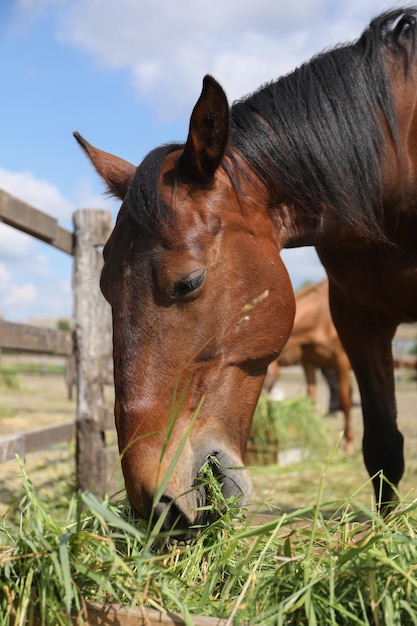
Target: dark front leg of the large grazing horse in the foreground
{"points": [[367, 337]]}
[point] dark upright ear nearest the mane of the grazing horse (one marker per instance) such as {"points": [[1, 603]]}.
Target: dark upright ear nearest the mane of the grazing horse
{"points": [[208, 134]]}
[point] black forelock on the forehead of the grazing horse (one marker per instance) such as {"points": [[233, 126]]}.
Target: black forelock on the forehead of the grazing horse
{"points": [[143, 200]]}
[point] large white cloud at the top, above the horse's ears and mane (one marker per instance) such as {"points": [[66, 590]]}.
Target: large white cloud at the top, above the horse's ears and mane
{"points": [[168, 47]]}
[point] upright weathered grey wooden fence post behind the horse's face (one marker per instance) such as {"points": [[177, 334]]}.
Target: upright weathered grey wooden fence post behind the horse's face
{"points": [[92, 344]]}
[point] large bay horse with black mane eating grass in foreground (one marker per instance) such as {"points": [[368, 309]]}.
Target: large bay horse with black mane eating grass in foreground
{"points": [[201, 300]]}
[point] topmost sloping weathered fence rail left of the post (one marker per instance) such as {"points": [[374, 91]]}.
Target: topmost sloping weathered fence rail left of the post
{"points": [[26, 218]]}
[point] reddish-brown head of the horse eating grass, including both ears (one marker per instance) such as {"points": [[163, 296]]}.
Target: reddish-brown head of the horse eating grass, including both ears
{"points": [[201, 304]]}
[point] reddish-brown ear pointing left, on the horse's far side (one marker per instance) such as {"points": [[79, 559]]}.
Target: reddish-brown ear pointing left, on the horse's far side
{"points": [[116, 172]]}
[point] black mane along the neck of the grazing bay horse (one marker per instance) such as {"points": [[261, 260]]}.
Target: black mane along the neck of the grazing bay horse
{"points": [[315, 134]]}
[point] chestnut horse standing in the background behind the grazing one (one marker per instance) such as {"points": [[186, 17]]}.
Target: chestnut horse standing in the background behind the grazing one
{"points": [[314, 343]]}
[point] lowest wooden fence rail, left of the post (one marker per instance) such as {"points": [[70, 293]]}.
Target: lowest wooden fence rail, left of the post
{"points": [[23, 443]]}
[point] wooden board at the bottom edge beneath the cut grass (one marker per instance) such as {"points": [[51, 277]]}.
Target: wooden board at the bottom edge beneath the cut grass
{"points": [[114, 614]]}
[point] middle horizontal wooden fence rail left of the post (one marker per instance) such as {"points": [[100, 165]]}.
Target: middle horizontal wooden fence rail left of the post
{"points": [[25, 338]]}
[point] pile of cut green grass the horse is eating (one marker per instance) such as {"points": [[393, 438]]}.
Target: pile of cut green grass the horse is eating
{"points": [[298, 568]]}
